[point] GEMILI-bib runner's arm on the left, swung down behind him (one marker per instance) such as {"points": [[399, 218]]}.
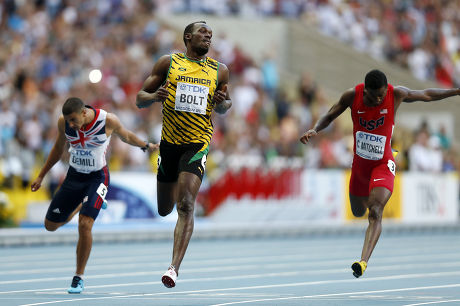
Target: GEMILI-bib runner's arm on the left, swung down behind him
{"points": [[54, 157]]}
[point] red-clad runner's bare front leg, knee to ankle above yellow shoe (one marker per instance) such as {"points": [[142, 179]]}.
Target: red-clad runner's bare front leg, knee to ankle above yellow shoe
{"points": [[378, 198]]}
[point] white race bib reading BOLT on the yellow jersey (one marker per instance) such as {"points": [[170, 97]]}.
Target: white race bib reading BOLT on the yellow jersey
{"points": [[191, 98]]}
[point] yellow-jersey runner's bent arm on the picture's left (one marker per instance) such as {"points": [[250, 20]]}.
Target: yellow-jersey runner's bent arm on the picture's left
{"points": [[152, 91]]}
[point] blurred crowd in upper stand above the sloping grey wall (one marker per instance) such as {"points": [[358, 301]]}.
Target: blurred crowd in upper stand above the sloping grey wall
{"points": [[422, 35]]}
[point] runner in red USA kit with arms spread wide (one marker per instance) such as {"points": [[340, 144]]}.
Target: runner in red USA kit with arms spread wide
{"points": [[373, 108]]}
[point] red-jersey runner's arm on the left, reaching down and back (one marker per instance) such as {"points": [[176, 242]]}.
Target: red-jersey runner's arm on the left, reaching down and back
{"points": [[336, 110]]}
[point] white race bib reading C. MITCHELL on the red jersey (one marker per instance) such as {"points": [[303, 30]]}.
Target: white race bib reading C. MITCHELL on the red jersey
{"points": [[370, 146]]}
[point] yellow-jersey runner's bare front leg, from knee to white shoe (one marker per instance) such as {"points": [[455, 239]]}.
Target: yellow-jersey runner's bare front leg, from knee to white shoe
{"points": [[188, 186]]}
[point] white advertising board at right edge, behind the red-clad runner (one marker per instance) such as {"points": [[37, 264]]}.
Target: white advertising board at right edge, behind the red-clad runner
{"points": [[430, 198]]}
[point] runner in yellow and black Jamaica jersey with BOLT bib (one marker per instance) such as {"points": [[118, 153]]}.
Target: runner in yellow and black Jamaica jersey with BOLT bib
{"points": [[190, 85]]}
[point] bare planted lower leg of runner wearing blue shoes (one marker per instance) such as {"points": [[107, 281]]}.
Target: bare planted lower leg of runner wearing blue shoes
{"points": [[85, 242]]}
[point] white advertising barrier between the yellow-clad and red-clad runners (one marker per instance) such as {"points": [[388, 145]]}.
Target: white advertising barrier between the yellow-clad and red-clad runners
{"points": [[320, 201]]}
